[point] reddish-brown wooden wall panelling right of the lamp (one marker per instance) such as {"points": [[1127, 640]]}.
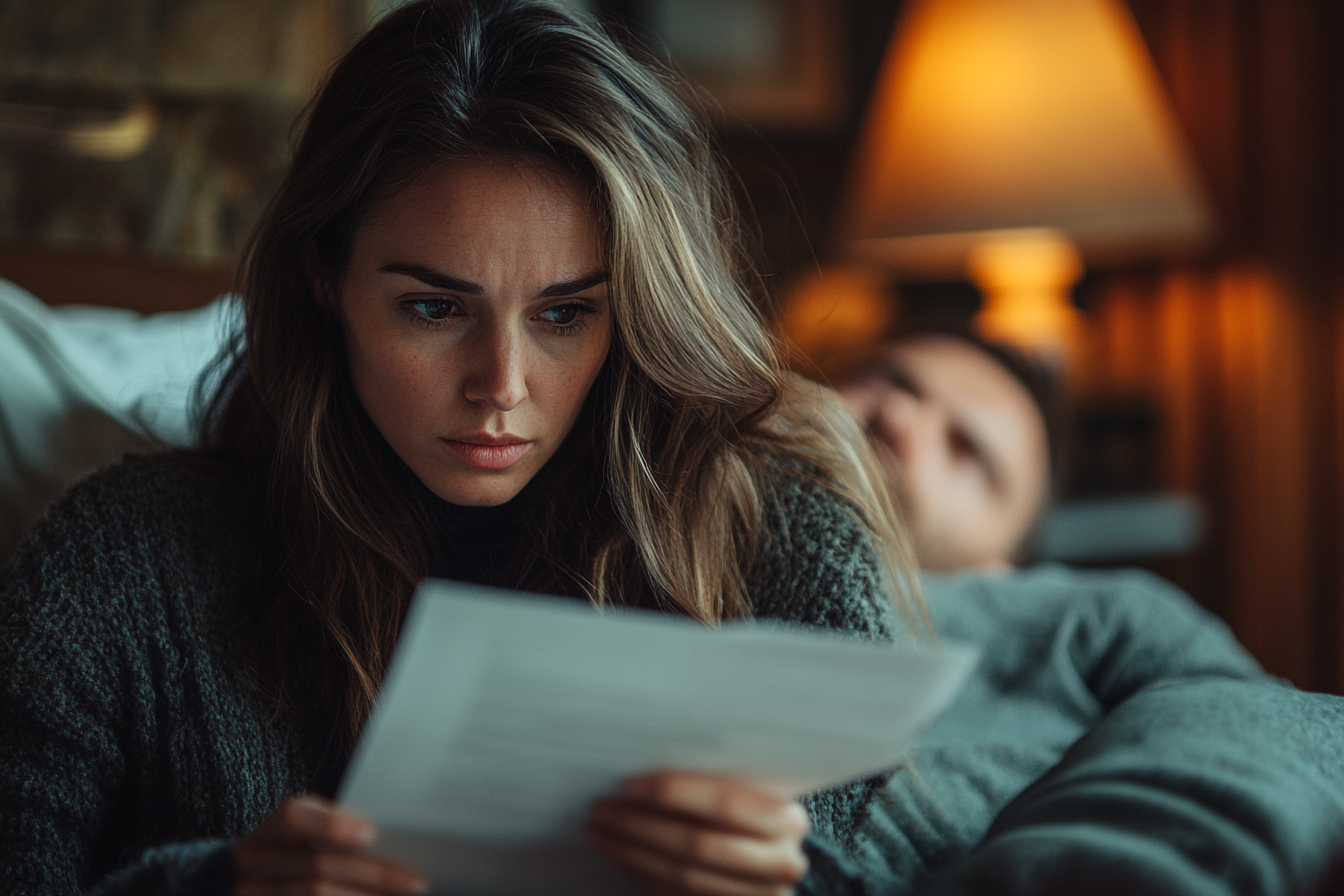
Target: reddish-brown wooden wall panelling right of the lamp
{"points": [[1244, 347]]}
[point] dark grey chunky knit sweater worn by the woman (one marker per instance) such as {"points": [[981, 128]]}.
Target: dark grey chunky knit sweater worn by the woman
{"points": [[134, 749]]}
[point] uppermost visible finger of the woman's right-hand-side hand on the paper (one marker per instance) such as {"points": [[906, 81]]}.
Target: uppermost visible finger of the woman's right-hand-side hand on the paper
{"points": [[721, 801]]}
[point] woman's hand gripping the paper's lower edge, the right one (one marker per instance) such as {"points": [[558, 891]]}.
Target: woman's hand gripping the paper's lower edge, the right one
{"points": [[690, 834]]}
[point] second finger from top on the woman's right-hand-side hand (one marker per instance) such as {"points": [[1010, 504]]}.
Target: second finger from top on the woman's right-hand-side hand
{"points": [[778, 860]]}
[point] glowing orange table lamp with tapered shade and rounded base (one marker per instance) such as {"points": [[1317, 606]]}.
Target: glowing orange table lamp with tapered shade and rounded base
{"points": [[1007, 136]]}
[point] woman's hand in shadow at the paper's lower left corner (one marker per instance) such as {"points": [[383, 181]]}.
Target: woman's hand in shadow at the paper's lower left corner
{"points": [[308, 848]]}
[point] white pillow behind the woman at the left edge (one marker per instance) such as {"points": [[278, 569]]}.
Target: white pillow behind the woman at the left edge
{"points": [[80, 386]]}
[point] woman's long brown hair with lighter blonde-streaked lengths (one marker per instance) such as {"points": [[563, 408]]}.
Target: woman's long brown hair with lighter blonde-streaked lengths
{"points": [[689, 422]]}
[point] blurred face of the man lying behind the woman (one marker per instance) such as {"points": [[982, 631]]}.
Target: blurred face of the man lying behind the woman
{"points": [[964, 447]]}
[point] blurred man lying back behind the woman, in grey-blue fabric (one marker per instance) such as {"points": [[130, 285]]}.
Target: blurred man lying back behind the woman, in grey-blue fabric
{"points": [[1116, 738]]}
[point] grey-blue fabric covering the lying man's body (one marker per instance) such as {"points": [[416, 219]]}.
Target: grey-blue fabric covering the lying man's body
{"points": [[1116, 740]]}
